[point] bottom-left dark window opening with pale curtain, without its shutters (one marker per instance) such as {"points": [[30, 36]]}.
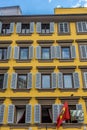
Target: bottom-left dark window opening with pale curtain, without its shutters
{"points": [[20, 114]]}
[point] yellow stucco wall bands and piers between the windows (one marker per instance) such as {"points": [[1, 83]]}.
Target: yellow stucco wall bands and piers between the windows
{"points": [[34, 92]]}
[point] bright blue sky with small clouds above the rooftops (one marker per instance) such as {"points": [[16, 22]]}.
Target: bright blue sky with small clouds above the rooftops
{"points": [[42, 6]]}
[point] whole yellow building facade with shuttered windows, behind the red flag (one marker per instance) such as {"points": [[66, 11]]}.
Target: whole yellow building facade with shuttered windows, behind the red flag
{"points": [[43, 63]]}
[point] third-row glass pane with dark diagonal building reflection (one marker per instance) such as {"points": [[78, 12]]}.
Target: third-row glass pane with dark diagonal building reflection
{"points": [[22, 81]]}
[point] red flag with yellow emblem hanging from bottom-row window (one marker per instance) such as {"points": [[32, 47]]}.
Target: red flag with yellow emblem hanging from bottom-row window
{"points": [[64, 114]]}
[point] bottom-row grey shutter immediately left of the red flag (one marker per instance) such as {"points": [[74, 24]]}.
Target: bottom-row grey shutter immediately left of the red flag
{"points": [[55, 110]]}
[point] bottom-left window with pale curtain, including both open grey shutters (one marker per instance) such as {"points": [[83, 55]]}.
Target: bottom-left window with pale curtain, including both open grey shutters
{"points": [[19, 114]]}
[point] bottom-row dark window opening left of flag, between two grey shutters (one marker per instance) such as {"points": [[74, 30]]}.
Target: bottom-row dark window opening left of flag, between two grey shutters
{"points": [[46, 112]]}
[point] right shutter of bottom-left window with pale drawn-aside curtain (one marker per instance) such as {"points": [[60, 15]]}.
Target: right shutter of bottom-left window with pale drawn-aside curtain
{"points": [[28, 114]]}
